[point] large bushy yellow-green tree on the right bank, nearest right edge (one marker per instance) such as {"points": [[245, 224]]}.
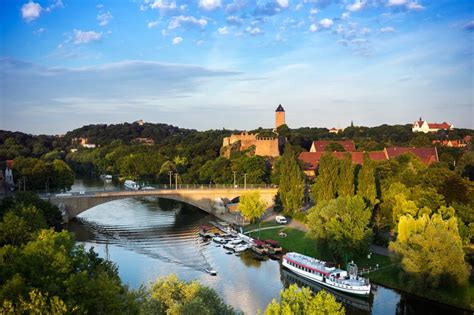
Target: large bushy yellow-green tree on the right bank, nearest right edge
{"points": [[430, 251]]}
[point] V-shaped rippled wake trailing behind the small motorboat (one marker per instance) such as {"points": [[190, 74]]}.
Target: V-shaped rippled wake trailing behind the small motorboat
{"points": [[184, 248]]}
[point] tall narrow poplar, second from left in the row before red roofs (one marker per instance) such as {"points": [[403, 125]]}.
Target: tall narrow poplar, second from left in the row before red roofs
{"points": [[325, 187]]}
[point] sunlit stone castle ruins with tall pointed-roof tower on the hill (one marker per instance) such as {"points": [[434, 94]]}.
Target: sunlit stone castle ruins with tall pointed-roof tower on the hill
{"points": [[263, 146]]}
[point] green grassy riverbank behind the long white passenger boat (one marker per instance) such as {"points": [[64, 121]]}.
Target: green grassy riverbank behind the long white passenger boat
{"points": [[387, 275]]}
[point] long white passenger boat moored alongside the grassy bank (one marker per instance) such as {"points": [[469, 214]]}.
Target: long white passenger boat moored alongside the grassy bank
{"points": [[318, 271]]}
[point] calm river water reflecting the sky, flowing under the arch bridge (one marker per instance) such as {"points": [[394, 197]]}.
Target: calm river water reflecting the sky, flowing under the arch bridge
{"points": [[149, 238]]}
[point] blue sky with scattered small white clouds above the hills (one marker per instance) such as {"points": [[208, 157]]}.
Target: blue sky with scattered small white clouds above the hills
{"points": [[212, 64]]}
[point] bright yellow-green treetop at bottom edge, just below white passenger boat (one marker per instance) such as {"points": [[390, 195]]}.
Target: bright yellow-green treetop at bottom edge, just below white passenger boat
{"points": [[303, 301]]}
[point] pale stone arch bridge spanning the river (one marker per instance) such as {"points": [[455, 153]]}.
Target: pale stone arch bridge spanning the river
{"points": [[72, 204]]}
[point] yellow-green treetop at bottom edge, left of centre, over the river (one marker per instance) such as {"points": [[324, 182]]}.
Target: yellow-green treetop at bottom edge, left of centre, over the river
{"points": [[169, 295]]}
